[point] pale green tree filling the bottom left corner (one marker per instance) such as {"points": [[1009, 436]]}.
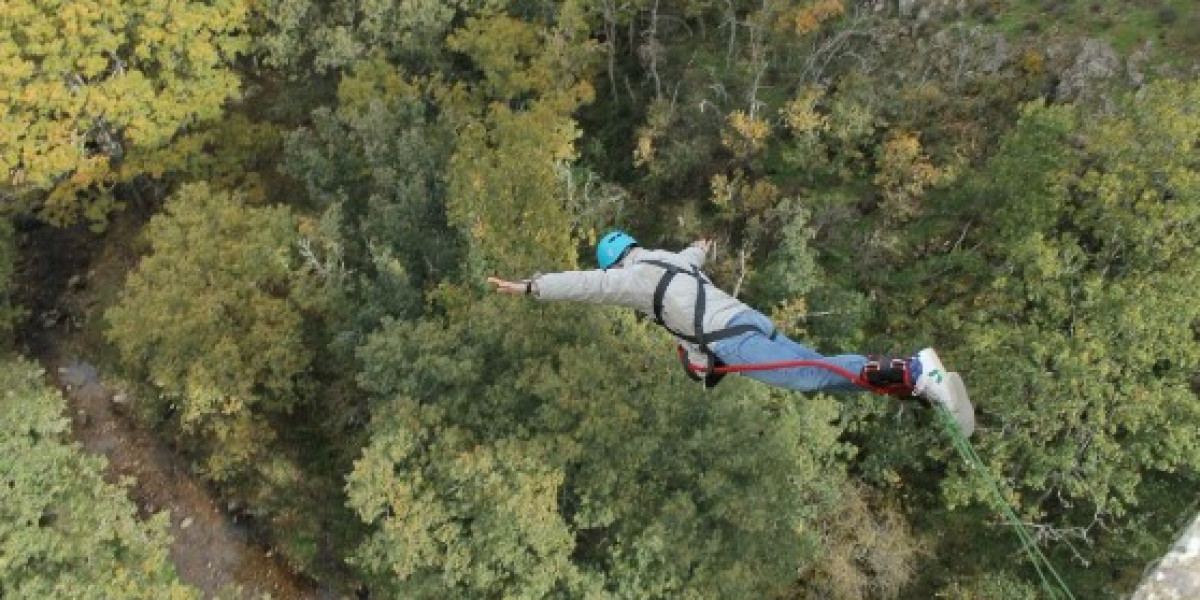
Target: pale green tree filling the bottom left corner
{"points": [[64, 532]]}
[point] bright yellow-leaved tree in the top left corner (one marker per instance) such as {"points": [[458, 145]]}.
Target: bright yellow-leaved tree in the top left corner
{"points": [[87, 86]]}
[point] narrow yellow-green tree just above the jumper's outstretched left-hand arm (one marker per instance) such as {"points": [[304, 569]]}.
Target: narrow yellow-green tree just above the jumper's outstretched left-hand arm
{"points": [[505, 175]]}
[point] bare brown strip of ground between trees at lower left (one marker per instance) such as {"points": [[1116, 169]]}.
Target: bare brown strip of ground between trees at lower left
{"points": [[212, 550]]}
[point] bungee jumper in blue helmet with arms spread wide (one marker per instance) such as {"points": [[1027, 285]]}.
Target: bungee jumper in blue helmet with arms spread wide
{"points": [[716, 331]]}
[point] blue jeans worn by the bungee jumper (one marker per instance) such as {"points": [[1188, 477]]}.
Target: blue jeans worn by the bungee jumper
{"points": [[758, 347]]}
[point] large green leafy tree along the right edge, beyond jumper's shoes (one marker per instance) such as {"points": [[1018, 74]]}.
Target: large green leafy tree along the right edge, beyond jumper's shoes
{"points": [[1100, 277]]}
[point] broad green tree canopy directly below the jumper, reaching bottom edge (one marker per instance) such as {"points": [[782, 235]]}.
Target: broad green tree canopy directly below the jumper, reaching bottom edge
{"points": [[628, 483]]}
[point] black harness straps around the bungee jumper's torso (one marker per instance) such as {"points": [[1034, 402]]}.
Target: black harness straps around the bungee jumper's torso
{"points": [[711, 376]]}
